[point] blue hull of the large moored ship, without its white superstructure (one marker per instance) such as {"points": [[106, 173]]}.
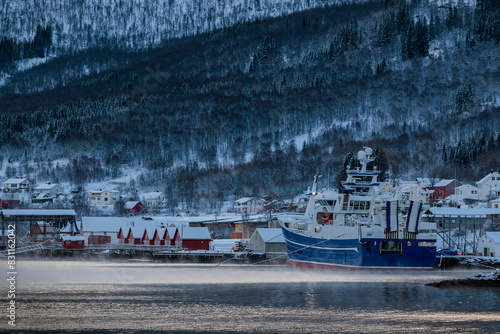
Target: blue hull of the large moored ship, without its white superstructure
{"points": [[351, 253]]}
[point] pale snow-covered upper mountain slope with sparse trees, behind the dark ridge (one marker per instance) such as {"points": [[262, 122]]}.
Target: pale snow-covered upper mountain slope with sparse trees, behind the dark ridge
{"points": [[136, 24]]}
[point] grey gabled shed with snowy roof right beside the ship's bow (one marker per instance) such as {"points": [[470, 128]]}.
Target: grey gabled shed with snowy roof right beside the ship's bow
{"points": [[267, 241]]}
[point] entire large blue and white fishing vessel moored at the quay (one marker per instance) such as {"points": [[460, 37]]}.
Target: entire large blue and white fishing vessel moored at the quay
{"points": [[365, 224]]}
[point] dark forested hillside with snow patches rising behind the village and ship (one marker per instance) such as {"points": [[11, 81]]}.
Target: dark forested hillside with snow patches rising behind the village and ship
{"points": [[262, 105]]}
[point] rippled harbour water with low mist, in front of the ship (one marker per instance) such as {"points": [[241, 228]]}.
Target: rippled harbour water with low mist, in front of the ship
{"points": [[121, 297]]}
